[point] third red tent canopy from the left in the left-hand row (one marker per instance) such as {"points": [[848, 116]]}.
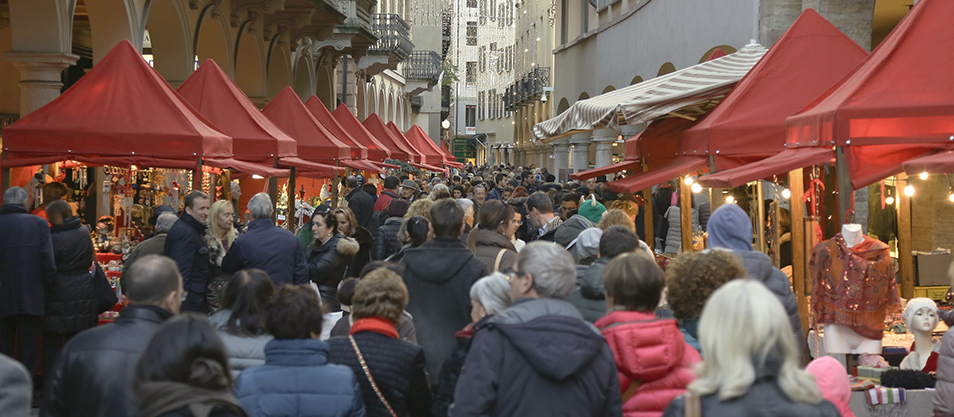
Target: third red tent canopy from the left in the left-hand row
{"points": [[315, 143]]}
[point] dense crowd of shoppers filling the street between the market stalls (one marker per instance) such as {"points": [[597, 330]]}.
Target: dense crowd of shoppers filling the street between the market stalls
{"points": [[495, 293]]}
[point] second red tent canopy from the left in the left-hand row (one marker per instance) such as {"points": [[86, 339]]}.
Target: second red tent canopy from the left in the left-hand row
{"points": [[255, 139]]}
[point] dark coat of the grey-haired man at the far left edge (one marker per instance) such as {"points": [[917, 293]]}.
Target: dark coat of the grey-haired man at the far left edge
{"points": [[26, 256]]}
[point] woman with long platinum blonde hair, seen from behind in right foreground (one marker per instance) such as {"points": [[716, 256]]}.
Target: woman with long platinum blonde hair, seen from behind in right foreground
{"points": [[751, 367]]}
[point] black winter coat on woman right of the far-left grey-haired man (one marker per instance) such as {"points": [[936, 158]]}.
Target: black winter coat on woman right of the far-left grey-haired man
{"points": [[70, 295]]}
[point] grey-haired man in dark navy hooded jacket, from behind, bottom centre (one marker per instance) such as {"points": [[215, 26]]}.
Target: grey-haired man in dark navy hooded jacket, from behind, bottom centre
{"points": [[539, 358]]}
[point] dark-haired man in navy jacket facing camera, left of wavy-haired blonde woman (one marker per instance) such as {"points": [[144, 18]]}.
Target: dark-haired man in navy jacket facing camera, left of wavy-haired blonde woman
{"points": [[186, 245]]}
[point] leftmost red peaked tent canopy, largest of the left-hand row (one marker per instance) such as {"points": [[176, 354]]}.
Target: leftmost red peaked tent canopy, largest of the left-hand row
{"points": [[122, 112]]}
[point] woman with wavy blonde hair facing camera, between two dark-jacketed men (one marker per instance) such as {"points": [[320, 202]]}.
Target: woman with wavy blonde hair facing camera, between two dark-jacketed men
{"points": [[219, 236]]}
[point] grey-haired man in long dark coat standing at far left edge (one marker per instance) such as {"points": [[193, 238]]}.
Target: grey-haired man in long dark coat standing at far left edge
{"points": [[26, 256]]}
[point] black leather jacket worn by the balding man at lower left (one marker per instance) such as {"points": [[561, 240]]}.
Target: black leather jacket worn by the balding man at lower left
{"points": [[94, 372]]}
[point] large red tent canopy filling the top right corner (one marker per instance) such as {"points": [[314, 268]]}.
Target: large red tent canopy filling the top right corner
{"points": [[900, 99]]}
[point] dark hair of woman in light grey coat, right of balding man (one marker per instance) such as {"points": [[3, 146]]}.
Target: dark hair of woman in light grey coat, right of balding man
{"points": [[246, 295]]}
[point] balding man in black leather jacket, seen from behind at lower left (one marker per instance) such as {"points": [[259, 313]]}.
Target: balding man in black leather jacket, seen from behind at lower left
{"points": [[94, 373]]}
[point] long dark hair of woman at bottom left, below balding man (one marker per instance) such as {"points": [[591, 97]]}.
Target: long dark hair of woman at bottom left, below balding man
{"points": [[188, 350]]}
